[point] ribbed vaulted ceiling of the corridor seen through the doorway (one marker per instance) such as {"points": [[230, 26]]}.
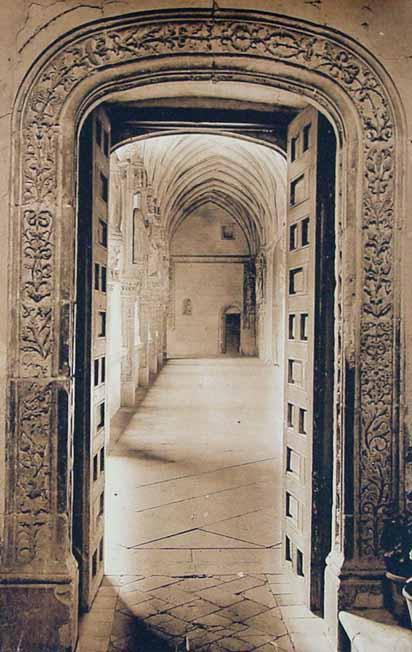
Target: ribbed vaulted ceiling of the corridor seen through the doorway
{"points": [[245, 178]]}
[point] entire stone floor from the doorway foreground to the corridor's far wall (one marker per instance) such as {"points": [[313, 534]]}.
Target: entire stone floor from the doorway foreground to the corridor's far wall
{"points": [[193, 504]]}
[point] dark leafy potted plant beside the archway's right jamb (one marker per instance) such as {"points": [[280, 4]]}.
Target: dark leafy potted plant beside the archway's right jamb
{"points": [[397, 546]]}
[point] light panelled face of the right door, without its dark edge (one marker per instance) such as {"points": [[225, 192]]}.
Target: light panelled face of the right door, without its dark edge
{"points": [[301, 253]]}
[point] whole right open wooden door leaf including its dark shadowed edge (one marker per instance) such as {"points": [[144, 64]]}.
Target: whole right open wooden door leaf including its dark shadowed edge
{"points": [[308, 423]]}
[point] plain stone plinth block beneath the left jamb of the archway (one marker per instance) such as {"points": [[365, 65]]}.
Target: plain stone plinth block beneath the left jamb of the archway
{"points": [[38, 617]]}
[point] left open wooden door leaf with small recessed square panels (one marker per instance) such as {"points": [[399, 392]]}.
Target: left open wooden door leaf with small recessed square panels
{"points": [[91, 411]]}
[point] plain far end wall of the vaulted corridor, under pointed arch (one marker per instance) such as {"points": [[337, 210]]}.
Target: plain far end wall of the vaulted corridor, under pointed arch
{"points": [[204, 274]]}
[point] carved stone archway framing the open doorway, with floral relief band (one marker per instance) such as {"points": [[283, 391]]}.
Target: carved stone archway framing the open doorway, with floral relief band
{"points": [[67, 81]]}
